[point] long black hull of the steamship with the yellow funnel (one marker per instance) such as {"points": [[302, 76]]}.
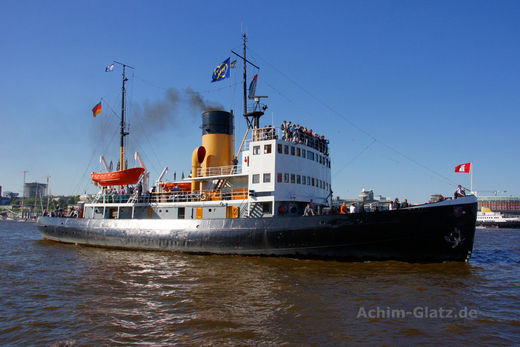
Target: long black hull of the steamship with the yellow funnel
{"points": [[429, 233]]}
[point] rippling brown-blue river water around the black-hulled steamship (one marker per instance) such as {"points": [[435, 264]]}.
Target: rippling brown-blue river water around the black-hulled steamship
{"points": [[53, 294]]}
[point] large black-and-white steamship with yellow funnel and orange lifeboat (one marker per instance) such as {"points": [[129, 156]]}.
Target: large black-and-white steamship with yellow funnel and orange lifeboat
{"points": [[273, 197]]}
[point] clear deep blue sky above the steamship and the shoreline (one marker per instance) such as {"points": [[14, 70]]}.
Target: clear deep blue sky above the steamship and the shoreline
{"points": [[404, 90]]}
